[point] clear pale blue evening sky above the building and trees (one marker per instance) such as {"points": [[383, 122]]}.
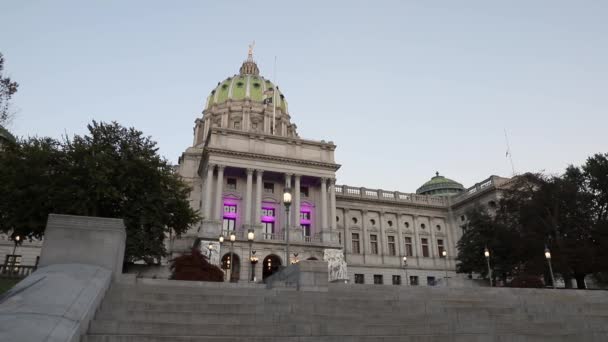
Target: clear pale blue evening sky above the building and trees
{"points": [[404, 88]]}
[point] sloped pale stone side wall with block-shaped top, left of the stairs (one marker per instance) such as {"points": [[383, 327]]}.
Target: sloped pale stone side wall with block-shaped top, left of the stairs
{"points": [[80, 257]]}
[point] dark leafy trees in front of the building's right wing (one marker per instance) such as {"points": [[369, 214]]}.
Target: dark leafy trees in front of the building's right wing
{"points": [[567, 213]]}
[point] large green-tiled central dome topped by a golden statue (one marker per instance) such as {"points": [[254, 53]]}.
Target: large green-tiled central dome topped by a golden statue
{"points": [[248, 85]]}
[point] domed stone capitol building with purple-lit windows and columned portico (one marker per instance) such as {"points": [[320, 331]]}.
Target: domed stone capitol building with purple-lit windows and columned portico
{"points": [[247, 152]]}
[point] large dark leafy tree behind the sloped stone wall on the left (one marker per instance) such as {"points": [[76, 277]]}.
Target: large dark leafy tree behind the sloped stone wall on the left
{"points": [[111, 172]]}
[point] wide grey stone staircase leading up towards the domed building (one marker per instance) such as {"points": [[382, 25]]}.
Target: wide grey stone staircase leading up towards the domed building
{"points": [[163, 311]]}
